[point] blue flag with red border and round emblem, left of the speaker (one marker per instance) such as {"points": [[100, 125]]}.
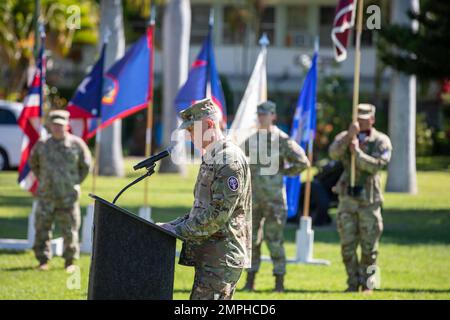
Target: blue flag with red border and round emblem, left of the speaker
{"points": [[127, 85]]}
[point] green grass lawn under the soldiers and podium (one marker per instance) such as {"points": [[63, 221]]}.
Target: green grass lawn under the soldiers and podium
{"points": [[414, 254]]}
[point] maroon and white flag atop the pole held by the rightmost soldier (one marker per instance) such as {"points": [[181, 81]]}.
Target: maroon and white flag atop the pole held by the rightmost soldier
{"points": [[344, 20]]}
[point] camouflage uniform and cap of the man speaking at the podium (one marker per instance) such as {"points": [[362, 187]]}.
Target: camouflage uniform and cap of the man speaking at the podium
{"points": [[218, 227]]}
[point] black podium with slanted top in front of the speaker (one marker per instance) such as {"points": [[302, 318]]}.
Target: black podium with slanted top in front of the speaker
{"points": [[131, 257]]}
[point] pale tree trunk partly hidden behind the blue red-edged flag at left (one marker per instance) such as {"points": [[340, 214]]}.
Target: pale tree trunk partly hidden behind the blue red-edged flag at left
{"points": [[111, 158]]}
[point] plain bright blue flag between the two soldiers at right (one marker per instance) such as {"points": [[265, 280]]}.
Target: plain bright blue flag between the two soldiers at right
{"points": [[303, 131]]}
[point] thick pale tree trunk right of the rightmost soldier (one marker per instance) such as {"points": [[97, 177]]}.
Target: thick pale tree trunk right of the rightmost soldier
{"points": [[402, 116]]}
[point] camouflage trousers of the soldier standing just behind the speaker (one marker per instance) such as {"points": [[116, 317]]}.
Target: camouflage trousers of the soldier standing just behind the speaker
{"points": [[268, 222]]}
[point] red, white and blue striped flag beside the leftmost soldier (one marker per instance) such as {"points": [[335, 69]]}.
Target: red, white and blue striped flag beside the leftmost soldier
{"points": [[29, 120]]}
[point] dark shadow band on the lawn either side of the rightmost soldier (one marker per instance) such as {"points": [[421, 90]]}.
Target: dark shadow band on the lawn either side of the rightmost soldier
{"points": [[400, 227]]}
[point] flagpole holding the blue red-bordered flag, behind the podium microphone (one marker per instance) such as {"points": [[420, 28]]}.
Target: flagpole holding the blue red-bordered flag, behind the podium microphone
{"points": [[149, 128]]}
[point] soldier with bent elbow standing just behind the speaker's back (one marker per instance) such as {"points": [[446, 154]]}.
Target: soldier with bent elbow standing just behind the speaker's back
{"points": [[268, 192]]}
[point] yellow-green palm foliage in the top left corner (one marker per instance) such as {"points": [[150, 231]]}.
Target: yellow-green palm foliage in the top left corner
{"points": [[17, 36]]}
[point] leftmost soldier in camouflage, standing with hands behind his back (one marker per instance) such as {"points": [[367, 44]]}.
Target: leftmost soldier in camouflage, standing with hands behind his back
{"points": [[60, 163]]}
